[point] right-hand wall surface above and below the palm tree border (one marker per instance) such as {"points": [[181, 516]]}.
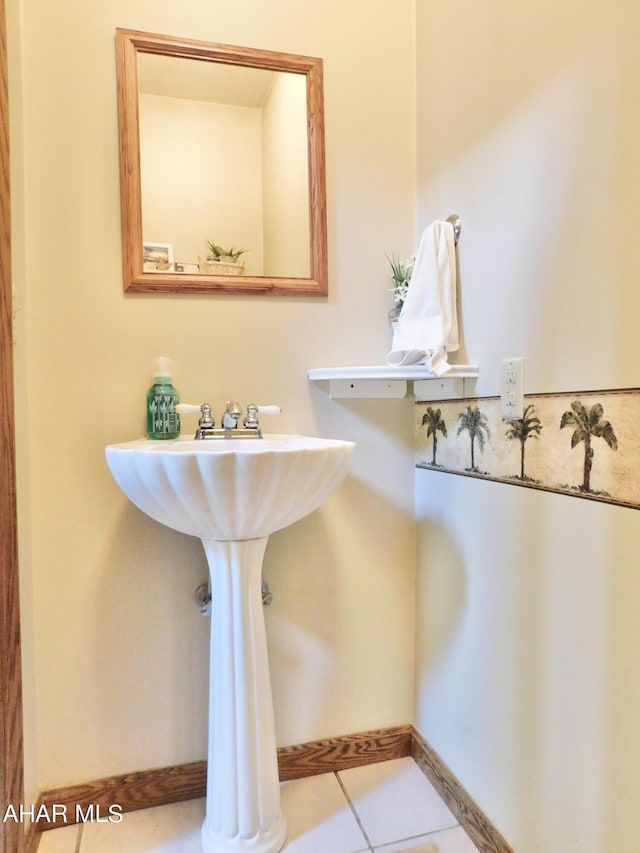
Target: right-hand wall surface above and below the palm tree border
{"points": [[528, 681]]}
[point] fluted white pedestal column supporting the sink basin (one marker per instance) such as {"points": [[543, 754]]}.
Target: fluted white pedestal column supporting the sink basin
{"points": [[243, 788]]}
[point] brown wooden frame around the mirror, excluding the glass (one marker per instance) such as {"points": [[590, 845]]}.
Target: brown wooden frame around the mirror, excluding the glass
{"points": [[131, 42]]}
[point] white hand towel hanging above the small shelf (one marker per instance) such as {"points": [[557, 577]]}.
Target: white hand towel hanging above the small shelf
{"points": [[427, 327]]}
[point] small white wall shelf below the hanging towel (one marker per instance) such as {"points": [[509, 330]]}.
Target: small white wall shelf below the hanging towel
{"points": [[390, 381]]}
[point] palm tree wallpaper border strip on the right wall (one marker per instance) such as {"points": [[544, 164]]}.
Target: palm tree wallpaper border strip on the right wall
{"points": [[584, 444]]}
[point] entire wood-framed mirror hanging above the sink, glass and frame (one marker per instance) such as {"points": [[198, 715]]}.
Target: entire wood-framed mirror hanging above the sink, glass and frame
{"points": [[221, 151]]}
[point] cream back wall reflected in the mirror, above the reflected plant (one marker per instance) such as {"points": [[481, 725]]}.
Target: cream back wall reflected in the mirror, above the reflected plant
{"points": [[201, 177]]}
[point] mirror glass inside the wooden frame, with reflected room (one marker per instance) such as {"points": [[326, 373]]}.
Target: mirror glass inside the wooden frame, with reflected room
{"points": [[223, 168]]}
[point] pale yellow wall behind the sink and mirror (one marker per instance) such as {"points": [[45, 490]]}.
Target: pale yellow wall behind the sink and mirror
{"points": [[118, 648]]}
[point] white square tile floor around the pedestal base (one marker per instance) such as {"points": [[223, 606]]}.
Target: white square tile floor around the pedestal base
{"points": [[383, 808]]}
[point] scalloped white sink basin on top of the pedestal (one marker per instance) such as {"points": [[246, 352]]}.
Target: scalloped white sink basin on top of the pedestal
{"points": [[229, 489]]}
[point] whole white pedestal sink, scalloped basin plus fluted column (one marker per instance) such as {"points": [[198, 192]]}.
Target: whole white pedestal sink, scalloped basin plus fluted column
{"points": [[233, 494]]}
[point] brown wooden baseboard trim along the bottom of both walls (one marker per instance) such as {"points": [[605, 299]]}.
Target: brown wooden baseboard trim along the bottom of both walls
{"points": [[148, 788]]}
